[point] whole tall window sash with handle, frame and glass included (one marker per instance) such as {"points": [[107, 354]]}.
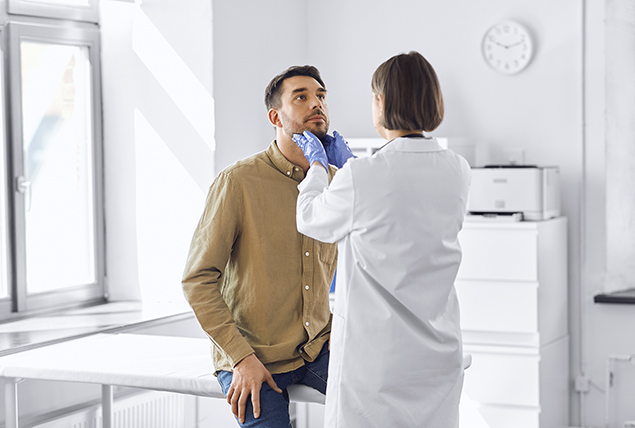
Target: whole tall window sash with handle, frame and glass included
{"points": [[55, 131]]}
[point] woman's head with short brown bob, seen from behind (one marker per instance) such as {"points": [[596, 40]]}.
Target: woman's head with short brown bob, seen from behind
{"points": [[411, 91]]}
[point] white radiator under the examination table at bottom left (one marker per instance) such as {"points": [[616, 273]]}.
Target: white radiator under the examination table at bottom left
{"points": [[149, 409]]}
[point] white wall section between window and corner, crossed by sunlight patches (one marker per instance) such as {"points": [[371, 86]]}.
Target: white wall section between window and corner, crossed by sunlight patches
{"points": [[158, 140]]}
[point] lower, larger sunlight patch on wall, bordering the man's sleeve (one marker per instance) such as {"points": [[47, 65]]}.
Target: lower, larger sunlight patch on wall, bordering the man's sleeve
{"points": [[169, 203]]}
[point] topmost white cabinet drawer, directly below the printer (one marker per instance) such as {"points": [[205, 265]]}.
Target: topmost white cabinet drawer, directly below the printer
{"points": [[499, 254]]}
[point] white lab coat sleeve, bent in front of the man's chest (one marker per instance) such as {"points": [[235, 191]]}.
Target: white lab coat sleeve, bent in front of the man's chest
{"points": [[325, 212]]}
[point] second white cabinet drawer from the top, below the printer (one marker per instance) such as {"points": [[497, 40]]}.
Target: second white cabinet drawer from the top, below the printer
{"points": [[498, 306]]}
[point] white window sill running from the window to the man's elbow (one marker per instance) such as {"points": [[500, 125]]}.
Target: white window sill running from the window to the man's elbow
{"points": [[113, 317]]}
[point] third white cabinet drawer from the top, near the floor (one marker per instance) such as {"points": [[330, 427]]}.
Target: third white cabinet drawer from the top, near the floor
{"points": [[501, 378]]}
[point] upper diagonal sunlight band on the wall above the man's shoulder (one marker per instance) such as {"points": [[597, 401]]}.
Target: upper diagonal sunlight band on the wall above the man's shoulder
{"points": [[179, 82]]}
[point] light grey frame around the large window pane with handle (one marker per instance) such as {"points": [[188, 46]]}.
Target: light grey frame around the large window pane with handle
{"points": [[76, 295]]}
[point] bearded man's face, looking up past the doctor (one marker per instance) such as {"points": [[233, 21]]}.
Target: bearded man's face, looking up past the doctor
{"points": [[303, 107]]}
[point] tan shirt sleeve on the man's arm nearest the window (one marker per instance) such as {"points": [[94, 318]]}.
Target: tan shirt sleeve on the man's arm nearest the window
{"points": [[204, 273]]}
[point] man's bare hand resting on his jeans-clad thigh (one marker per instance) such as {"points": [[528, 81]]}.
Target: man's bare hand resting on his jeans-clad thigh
{"points": [[247, 379]]}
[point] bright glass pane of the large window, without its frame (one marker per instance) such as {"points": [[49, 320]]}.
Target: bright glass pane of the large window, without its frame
{"points": [[57, 142]]}
